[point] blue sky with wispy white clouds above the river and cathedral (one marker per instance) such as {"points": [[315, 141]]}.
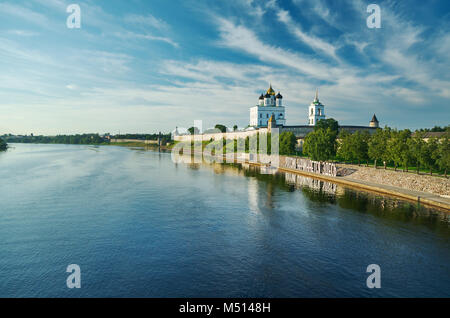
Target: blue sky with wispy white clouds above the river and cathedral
{"points": [[148, 66]]}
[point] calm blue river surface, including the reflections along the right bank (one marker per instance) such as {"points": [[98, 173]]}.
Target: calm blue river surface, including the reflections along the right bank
{"points": [[139, 225]]}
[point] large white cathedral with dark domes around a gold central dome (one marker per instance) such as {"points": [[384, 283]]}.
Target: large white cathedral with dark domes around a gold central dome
{"points": [[268, 104]]}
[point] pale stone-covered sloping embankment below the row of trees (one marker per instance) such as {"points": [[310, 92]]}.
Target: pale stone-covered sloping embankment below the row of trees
{"points": [[405, 180]]}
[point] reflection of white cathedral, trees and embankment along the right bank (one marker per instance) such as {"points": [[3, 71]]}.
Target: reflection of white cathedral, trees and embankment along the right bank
{"points": [[318, 191]]}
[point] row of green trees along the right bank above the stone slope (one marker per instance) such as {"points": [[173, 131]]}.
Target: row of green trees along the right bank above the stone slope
{"points": [[388, 146]]}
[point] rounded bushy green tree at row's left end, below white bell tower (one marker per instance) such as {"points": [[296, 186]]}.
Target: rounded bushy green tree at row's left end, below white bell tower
{"points": [[320, 144]]}
